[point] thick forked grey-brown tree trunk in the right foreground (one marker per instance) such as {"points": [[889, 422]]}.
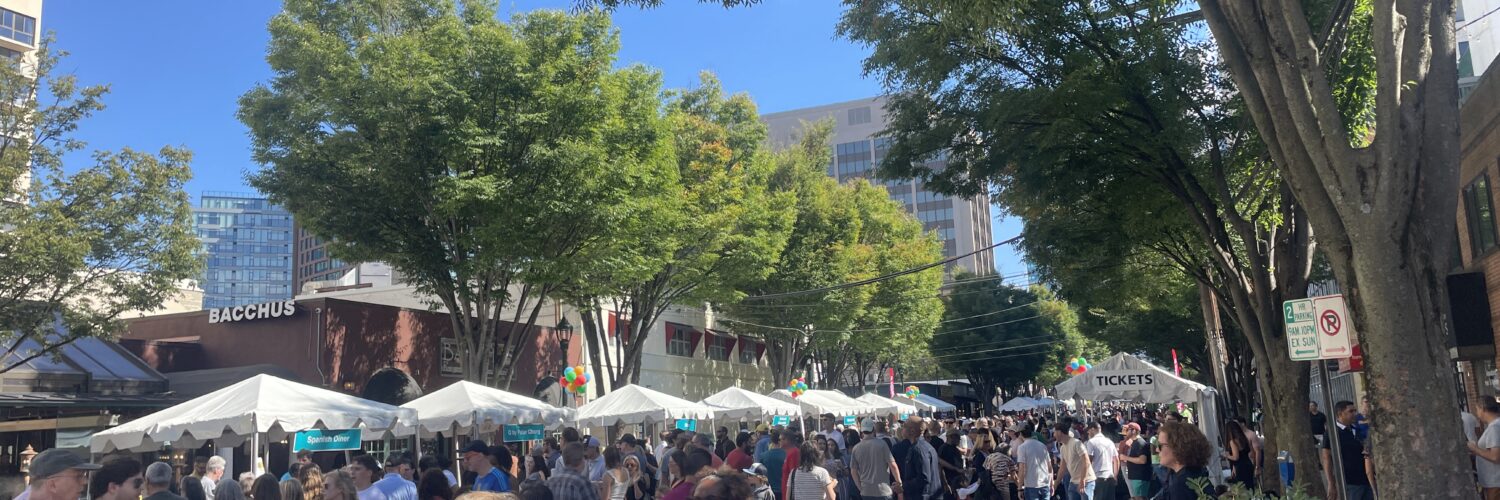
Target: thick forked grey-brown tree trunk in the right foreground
{"points": [[1384, 212]]}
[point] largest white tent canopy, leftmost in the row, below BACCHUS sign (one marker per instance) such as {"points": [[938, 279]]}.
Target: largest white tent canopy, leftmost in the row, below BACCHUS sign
{"points": [[262, 405]]}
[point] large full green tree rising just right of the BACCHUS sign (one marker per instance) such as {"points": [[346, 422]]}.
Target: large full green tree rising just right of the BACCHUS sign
{"points": [[490, 163]]}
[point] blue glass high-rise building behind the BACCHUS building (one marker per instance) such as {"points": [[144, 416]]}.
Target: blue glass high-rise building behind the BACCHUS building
{"points": [[248, 242]]}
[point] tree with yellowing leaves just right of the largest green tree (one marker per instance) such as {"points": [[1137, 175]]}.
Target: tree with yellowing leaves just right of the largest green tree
{"points": [[712, 233]]}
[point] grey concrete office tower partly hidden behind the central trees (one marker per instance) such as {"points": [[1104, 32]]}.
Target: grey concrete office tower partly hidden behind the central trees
{"points": [[964, 226]]}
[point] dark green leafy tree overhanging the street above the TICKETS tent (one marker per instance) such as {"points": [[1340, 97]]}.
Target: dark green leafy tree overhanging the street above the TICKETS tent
{"points": [[1112, 133]]}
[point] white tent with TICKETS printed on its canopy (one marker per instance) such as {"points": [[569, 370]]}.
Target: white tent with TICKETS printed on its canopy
{"points": [[1132, 379]]}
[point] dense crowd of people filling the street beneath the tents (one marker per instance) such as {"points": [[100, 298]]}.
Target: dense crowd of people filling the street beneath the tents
{"points": [[1115, 456]]}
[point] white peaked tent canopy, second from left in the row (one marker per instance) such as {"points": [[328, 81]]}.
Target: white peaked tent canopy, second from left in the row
{"points": [[469, 405]]}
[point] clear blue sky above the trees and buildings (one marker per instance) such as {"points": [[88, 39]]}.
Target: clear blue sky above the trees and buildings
{"points": [[178, 67]]}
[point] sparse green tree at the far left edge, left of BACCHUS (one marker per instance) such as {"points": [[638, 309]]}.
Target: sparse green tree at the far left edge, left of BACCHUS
{"points": [[80, 245]]}
